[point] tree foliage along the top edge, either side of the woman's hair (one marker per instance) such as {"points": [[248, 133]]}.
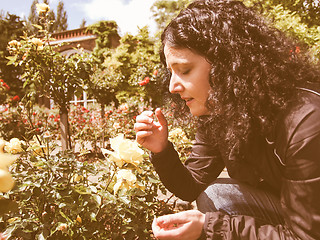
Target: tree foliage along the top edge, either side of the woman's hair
{"points": [[298, 18]]}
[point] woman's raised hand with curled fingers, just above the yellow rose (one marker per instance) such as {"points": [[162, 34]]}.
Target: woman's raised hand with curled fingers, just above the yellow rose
{"points": [[151, 134]]}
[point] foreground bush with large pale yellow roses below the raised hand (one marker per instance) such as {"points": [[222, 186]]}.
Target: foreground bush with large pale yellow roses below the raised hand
{"points": [[57, 195]]}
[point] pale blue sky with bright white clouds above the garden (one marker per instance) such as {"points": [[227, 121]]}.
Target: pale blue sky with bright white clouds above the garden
{"points": [[129, 14]]}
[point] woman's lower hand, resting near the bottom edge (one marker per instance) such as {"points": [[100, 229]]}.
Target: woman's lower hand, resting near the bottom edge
{"points": [[183, 225]]}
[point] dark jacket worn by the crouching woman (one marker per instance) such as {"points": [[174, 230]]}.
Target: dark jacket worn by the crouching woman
{"points": [[287, 162]]}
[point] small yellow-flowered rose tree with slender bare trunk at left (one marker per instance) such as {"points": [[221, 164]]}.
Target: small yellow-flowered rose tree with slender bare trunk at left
{"points": [[58, 76]]}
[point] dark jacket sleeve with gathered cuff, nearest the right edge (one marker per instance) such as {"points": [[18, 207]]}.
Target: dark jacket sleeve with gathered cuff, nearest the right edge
{"points": [[299, 154]]}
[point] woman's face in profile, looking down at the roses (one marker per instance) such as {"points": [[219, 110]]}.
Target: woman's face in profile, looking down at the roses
{"points": [[189, 77]]}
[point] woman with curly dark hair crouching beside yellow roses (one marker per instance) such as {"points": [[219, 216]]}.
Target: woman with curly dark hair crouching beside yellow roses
{"points": [[258, 109]]}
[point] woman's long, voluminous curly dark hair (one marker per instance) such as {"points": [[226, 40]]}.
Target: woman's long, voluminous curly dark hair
{"points": [[255, 68]]}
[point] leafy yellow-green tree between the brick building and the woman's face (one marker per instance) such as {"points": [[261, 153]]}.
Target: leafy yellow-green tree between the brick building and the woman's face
{"points": [[130, 71]]}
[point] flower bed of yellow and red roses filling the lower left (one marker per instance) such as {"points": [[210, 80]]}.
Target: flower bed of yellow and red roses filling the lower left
{"points": [[86, 194]]}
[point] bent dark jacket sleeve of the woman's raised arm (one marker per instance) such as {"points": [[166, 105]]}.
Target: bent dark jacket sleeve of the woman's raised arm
{"points": [[188, 180]]}
